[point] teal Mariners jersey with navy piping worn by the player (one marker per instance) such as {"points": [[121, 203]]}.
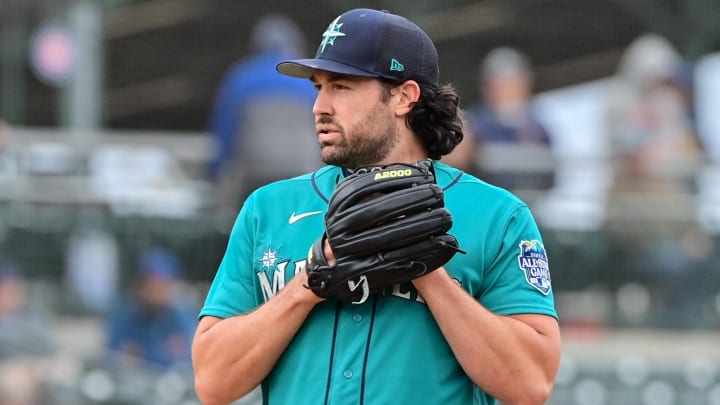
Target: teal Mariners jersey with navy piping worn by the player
{"points": [[388, 350]]}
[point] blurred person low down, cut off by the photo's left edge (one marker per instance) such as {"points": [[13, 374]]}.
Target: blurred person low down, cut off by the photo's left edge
{"points": [[21, 331]]}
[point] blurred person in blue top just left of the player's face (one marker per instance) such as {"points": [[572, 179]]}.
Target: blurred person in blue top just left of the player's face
{"points": [[262, 122]]}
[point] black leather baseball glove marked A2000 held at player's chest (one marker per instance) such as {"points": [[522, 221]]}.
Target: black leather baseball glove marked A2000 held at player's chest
{"points": [[385, 224]]}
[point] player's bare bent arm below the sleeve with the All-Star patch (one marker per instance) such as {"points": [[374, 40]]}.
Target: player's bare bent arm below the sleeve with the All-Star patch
{"points": [[512, 358]]}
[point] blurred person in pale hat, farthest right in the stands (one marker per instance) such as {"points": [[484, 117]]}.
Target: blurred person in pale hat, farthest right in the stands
{"points": [[650, 119]]}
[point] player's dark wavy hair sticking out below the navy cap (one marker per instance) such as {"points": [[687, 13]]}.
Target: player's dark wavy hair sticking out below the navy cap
{"points": [[435, 118]]}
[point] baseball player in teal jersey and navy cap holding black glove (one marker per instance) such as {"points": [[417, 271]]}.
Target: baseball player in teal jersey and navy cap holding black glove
{"points": [[386, 277]]}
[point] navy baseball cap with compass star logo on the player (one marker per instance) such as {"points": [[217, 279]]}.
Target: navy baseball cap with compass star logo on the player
{"points": [[371, 43]]}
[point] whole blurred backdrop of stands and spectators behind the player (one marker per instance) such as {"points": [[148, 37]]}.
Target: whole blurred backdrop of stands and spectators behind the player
{"points": [[131, 130]]}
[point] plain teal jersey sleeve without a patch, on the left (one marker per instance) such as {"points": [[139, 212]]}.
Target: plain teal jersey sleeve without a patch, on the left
{"points": [[232, 291]]}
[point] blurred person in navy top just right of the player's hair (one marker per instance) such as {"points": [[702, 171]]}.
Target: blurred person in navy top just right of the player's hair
{"points": [[511, 147]]}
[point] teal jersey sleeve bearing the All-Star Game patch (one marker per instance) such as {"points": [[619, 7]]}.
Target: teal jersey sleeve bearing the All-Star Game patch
{"points": [[518, 278]]}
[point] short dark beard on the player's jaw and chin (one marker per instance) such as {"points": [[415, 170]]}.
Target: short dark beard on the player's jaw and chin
{"points": [[370, 143]]}
